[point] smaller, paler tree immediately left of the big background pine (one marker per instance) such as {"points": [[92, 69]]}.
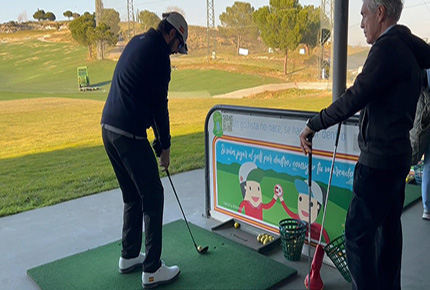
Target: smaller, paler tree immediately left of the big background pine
{"points": [[238, 21]]}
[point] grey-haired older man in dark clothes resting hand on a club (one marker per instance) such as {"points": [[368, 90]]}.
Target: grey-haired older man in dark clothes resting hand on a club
{"points": [[386, 94]]}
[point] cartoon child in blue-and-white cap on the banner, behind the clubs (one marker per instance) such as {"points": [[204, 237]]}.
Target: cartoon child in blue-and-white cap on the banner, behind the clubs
{"points": [[303, 207]]}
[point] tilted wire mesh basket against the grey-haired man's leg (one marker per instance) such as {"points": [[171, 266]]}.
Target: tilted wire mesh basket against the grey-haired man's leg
{"points": [[336, 251]]}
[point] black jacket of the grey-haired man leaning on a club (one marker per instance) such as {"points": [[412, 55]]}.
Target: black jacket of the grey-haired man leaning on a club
{"points": [[386, 92]]}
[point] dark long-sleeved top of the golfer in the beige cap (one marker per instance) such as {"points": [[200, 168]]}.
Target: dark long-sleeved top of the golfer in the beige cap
{"points": [[138, 95]]}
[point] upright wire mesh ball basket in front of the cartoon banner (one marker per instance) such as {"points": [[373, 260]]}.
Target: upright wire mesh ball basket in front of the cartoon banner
{"points": [[293, 234]]}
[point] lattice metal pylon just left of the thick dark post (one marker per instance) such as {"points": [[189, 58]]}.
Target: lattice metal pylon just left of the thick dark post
{"points": [[325, 60]]}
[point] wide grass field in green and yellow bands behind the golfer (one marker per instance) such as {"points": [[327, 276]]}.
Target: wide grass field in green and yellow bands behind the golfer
{"points": [[51, 149]]}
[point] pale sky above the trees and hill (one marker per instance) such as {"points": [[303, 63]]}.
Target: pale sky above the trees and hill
{"points": [[416, 13]]}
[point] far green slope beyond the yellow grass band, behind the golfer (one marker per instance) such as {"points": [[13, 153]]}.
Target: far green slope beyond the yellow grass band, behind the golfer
{"points": [[32, 69]]}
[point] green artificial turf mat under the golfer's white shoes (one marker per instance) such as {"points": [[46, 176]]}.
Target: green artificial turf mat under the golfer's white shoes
{"points": [[227, 265]]}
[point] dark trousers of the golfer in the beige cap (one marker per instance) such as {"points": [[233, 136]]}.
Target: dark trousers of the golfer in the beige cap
{"points": [[137, 172]]}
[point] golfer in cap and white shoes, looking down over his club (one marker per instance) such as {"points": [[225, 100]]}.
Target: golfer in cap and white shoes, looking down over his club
{"points": [[137, 100]]}
